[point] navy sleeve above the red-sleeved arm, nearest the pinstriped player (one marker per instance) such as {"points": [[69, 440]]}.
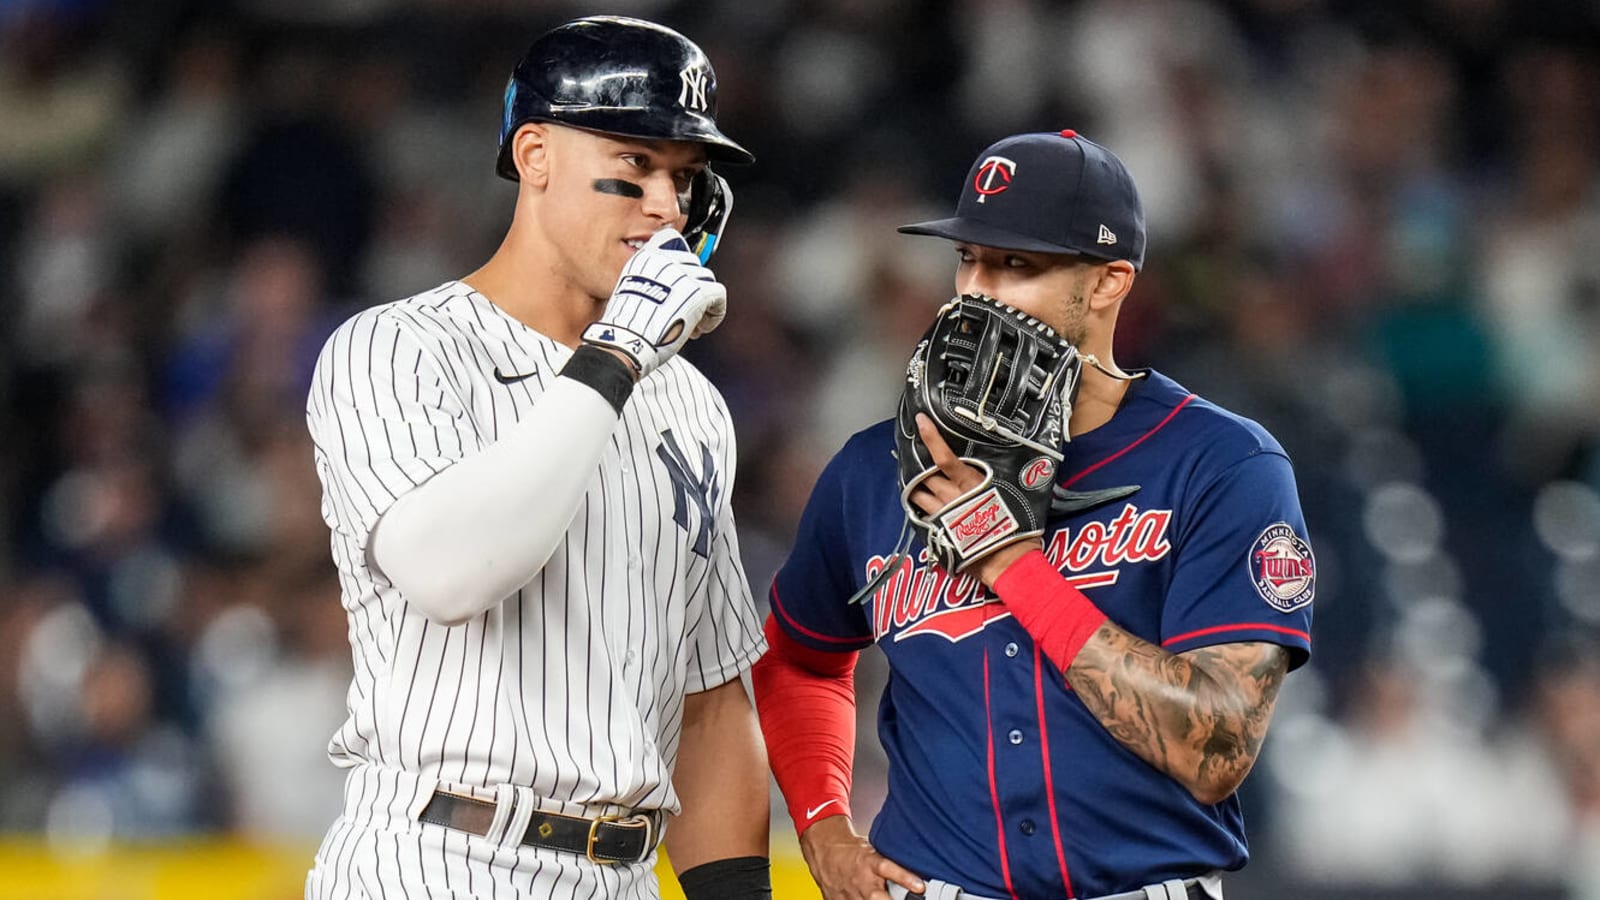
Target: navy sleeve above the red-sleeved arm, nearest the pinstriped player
{"points": [[812, 589]]}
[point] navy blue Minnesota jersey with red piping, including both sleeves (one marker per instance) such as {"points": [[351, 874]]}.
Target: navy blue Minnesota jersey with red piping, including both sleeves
{"points": [[1001, 781]]}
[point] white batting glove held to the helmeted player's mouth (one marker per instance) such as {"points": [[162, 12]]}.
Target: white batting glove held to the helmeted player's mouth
{"points": [[663, 299]]}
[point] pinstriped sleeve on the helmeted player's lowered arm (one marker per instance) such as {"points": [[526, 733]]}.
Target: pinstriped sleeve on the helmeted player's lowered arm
{"points": [[729, 637]]}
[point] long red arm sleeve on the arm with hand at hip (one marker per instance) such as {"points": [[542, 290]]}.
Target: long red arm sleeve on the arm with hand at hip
{"points": [[807, 704]]}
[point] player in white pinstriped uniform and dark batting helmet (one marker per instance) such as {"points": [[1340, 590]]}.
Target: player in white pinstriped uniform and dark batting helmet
{"points": [[529, 496]]}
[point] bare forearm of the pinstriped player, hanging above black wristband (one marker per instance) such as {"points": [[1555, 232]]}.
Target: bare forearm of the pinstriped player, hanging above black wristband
{"points": [[721, 779]]}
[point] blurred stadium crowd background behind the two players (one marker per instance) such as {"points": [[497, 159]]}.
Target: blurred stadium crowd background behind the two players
{"points": [[1375, 228]]}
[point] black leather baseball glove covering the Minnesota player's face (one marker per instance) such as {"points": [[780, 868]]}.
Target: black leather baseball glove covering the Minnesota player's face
{"points": [[999, 385]]}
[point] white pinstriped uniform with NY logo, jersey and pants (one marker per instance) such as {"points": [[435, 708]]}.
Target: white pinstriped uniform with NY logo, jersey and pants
{"points": [[569, 696]]}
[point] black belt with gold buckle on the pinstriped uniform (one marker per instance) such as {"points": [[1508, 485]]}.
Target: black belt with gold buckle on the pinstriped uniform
{"points": [[606, 840]]}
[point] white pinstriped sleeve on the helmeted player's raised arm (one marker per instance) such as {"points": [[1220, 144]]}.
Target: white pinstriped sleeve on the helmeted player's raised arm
{"points": [[383, 420]]}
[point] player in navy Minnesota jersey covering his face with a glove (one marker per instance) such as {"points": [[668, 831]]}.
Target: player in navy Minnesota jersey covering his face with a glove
{"points": [[1070, 715]]}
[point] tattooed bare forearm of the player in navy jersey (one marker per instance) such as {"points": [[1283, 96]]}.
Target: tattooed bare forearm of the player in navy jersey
{"points": [[1199, 717]]}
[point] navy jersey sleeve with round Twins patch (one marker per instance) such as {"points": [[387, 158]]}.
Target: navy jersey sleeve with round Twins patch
{"points": [[1246, 569]]}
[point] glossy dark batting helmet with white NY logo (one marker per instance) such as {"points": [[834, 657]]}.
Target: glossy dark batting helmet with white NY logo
{"points": [[617, 76]]}
